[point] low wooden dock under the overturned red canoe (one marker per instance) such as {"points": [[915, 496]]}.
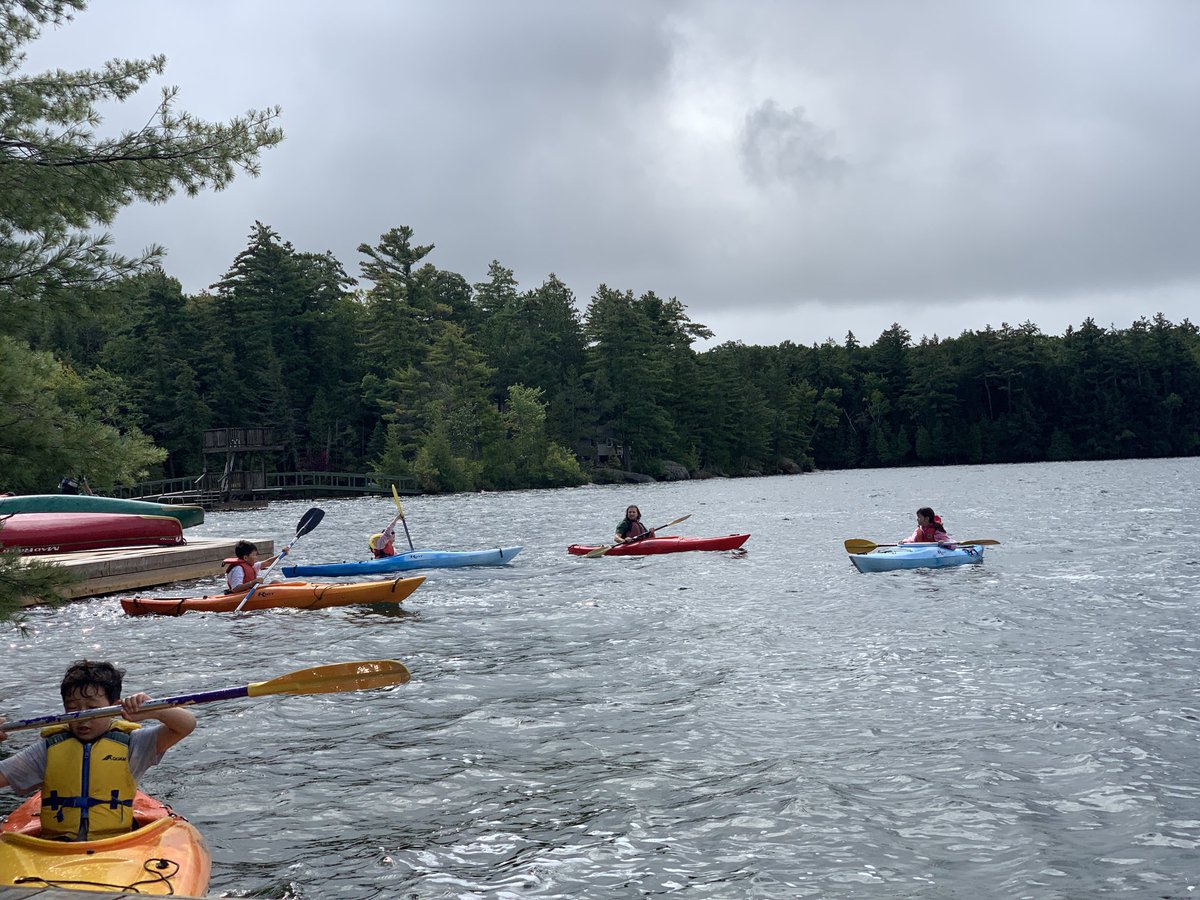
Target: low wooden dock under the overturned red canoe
{"points": [[107, 572]]}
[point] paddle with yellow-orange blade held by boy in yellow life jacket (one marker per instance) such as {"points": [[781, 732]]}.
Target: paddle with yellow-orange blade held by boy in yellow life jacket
{"points": [[320, 680]]}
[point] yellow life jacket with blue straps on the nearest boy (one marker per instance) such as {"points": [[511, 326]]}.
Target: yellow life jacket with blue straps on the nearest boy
{"points": [[88, 789]]}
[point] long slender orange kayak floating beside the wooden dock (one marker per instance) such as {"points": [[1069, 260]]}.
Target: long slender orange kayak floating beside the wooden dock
{"points": [[295, 595]]}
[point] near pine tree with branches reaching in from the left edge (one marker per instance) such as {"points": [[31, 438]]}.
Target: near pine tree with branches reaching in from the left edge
{"points": [[59, 181]]}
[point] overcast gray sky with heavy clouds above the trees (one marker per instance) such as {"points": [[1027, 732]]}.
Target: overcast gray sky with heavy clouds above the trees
{"points": [[789, 171]]}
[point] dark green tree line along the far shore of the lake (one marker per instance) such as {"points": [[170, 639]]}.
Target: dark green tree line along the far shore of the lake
{"points": [[493, 386]]}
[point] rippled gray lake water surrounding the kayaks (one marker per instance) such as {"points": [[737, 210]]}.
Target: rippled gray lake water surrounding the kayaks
{"points": [[769, 725]]}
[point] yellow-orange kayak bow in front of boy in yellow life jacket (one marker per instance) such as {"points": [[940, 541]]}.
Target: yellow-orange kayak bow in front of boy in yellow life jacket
{"points": [[164, 855]]}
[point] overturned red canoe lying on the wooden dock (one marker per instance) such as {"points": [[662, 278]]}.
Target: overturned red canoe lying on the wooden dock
{"points": [[67, 532]]}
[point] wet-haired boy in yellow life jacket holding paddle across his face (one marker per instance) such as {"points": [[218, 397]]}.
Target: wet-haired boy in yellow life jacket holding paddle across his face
{"points": [[88, 770]]}
